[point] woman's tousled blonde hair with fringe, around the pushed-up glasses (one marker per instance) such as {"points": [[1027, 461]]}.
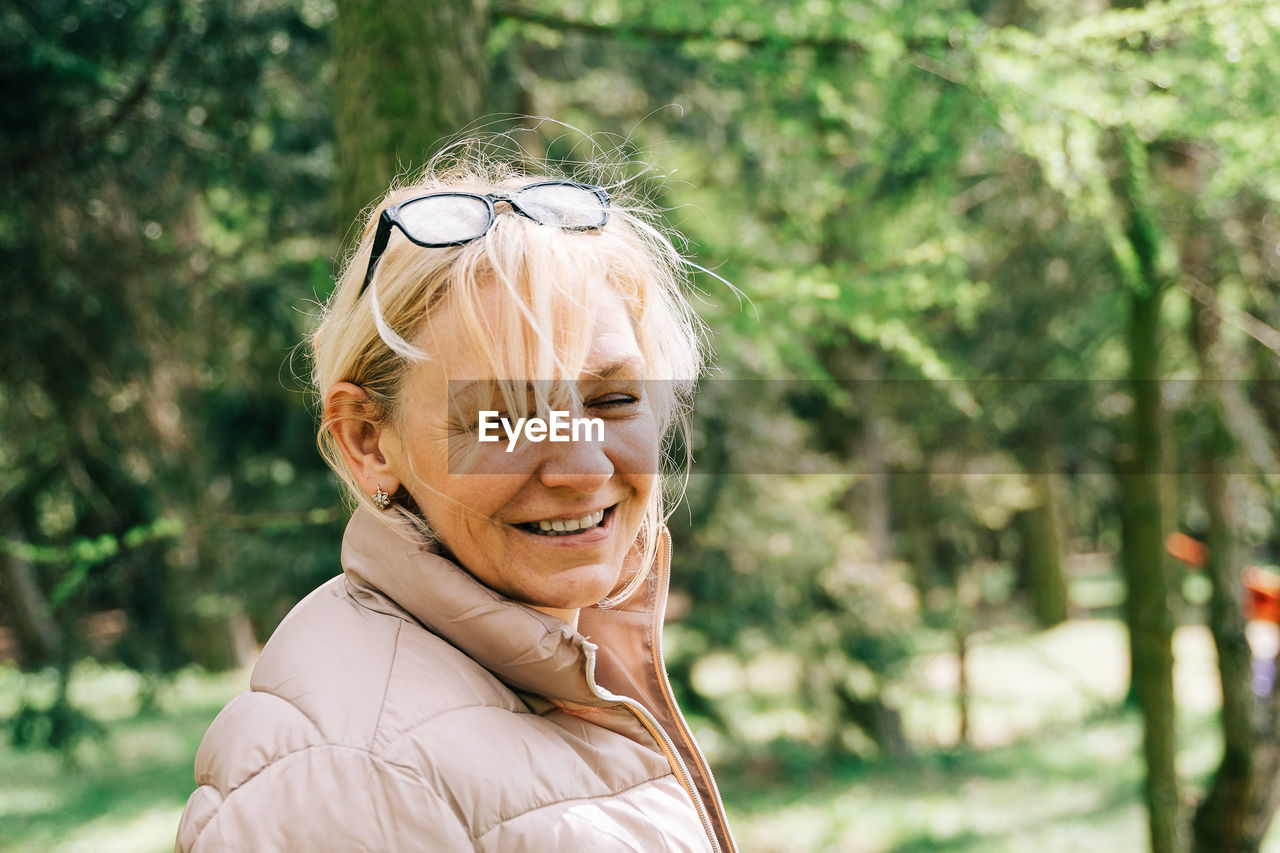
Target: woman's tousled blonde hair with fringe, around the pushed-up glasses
{"points": [[547, 307]]}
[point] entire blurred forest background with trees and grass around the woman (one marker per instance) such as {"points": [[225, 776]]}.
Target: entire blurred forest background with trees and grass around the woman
{"points": [[999, 417]]}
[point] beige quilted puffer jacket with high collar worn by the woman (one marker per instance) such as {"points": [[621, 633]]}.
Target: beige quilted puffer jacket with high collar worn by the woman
{"points": [[405, 706]]}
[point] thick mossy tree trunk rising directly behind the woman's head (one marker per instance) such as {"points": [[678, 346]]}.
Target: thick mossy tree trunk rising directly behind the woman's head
{"points": [[409, 74]]}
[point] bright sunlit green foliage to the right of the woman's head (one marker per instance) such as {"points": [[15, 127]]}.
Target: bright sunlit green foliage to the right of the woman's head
{"points": [[949, 195]]}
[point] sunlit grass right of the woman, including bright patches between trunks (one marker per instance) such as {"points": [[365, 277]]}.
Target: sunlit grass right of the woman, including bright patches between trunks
{"points": [[1059, 769]]}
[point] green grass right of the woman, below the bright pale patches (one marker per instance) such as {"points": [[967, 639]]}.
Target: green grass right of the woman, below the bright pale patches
{"points": [[1076, 791]]}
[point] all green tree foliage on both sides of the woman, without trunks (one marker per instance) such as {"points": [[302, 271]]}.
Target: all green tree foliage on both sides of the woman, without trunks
{"points": [[934, 212]]}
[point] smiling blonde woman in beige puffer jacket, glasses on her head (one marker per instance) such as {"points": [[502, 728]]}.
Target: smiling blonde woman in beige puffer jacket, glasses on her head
{"points": [[487, 673]]}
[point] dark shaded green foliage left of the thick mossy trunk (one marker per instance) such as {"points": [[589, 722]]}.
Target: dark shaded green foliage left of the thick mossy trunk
{"points": [[168, 171]]}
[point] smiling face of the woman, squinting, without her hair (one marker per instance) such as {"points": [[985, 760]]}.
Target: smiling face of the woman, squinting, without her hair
{"points": [[495, 523]]}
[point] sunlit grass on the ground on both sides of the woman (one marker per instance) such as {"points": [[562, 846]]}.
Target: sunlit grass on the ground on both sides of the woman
{"points": [[1055, 767]]}
